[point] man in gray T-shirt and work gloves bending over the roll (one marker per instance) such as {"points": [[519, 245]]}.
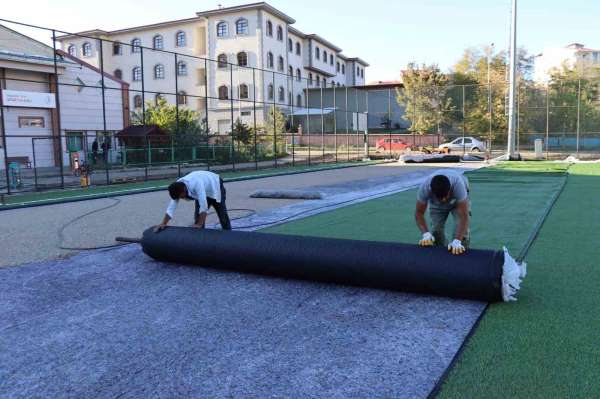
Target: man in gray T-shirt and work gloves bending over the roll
{"points": [[444, 193]]}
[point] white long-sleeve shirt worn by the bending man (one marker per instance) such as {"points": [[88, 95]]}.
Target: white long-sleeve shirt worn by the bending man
{"points": [[200, 184]]}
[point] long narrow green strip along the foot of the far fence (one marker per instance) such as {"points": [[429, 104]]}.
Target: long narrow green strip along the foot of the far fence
{"points": [[126, 188]]}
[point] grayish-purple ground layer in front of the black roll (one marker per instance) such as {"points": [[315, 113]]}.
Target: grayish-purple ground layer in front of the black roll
{"points": [[118, 324]]}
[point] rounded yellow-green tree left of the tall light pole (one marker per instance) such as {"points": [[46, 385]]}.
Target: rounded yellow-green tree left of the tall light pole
{"points": [[423, 97]]}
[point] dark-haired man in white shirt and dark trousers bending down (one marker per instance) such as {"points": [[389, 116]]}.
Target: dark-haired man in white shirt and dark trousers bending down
{"points": [[206, 189]]}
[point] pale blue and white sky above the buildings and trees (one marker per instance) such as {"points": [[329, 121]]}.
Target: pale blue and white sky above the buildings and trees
{"points": [[387, 34]]}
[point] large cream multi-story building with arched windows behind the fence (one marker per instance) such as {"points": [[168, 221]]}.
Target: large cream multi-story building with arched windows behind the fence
{"points": [[225, 63]]}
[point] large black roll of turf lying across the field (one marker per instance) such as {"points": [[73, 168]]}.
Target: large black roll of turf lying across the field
{"points": [[476, 275]]}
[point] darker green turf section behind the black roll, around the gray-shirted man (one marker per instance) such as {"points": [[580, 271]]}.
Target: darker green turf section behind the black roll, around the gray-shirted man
{"points": [[506, 204]]}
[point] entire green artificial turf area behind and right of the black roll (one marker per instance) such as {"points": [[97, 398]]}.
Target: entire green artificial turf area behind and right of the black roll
{"points": [[548, 343]]}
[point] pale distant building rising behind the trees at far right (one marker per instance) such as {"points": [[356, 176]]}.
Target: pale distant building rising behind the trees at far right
{"points": [[574, 54]]}
